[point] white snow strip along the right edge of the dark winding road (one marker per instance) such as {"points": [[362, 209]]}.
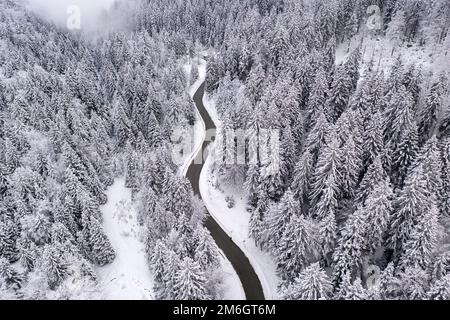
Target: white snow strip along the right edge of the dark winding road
{"points": [[235, 221]]}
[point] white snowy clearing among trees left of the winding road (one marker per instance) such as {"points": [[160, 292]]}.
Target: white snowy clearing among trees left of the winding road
{"points": [[128, 276]]}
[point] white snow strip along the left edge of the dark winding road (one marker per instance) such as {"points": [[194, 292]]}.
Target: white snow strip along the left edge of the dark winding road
{"points": [[231, 285]]}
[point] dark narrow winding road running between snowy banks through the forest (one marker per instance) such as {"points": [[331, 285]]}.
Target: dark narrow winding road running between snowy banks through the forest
{"points": [[250, 281]]}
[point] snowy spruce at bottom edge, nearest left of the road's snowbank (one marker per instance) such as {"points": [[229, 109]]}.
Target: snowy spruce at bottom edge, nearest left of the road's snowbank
{"points": [[189, 282]]}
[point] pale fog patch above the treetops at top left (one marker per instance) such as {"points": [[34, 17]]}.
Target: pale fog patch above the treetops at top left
{"points": [[72, 14]]}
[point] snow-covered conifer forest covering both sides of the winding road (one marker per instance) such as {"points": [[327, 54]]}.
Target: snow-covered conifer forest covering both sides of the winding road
{"points": [[360, 205]]}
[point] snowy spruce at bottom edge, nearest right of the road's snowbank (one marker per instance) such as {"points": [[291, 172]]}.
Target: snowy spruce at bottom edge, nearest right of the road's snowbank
{"points": [[311, 284]]}
